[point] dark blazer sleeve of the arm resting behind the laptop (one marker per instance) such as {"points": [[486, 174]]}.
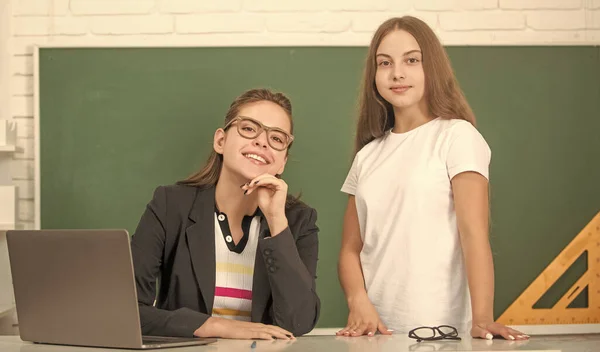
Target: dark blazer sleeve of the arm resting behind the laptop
{"points": [[147, 248]]}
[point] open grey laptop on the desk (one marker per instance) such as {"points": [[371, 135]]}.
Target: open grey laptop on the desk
{"points": [[77, 287]]}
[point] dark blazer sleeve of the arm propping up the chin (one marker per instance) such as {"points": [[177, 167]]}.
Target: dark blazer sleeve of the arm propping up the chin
{"points": [[292, 267]]}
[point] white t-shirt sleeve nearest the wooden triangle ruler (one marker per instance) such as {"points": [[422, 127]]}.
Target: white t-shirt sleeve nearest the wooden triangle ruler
{"points": [[467, 151]]}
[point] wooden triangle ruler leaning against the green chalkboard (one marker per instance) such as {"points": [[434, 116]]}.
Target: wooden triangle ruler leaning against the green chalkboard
{"points": [[521, 311]]}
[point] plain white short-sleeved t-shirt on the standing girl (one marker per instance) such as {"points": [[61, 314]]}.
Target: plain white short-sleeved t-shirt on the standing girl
{"points": [[412, 258]]}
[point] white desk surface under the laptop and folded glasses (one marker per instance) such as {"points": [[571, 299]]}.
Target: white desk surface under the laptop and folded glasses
{"points": [[395, 343]]}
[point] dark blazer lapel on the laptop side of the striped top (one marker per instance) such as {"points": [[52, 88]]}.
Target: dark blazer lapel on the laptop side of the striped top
{"points": [[201, 243]]}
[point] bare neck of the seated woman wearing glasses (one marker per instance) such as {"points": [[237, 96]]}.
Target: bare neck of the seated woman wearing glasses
{"points": [[230, 198]]}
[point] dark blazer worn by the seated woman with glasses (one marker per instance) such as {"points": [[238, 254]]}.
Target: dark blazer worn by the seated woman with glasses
{"points": [[174, 243]]}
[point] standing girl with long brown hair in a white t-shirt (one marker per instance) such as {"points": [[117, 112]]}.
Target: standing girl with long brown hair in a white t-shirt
{"points": [[415, 249]]}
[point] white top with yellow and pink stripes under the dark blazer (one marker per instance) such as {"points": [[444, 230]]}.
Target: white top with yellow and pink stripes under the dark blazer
{"points": [[234, 274]]}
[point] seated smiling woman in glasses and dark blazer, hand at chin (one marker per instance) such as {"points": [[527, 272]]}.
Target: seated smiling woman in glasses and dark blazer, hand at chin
{"points": [[231, 254]]}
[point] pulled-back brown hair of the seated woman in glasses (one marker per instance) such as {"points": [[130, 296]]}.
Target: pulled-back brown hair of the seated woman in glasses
{"points": [[209, 174]]}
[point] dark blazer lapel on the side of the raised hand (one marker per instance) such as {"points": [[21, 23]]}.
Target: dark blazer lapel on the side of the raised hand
{"points": [[261, 290]]}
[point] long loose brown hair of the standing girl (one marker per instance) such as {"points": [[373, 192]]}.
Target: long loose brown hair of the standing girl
{"points": [[443, 94]]}
